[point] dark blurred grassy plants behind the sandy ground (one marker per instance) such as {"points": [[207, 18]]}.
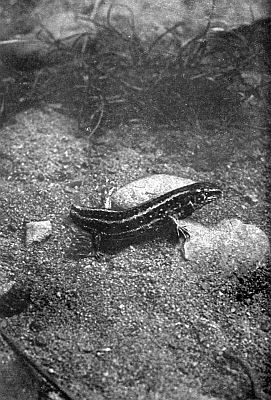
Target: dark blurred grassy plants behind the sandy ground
{"points": [[119, 77]]}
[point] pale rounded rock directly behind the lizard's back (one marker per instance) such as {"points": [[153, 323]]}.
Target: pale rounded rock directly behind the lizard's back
{"points": [[145, 189]]}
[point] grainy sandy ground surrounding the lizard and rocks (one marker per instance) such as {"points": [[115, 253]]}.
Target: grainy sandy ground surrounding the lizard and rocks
{"points": [[143, 323]]}
